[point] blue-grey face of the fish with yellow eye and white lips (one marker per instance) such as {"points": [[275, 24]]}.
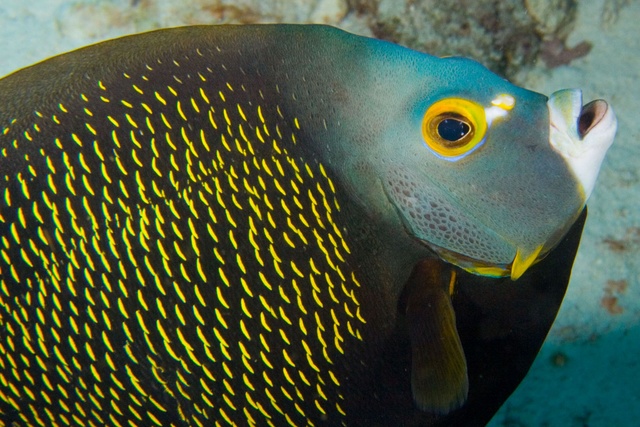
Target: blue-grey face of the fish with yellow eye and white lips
{"points": [[493, 175]]}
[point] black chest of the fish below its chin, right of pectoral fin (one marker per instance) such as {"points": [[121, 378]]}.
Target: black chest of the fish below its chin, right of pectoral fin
{"points": [[503, 324]]}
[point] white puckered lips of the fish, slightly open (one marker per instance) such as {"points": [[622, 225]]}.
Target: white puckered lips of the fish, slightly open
{"points": [[583, 146]]}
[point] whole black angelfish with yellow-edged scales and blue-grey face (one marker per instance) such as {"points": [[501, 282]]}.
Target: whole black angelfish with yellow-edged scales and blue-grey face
{"points": [[239, 225]]}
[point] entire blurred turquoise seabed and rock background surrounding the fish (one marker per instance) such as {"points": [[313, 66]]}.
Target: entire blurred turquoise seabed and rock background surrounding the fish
{"points": [[588, 371]]}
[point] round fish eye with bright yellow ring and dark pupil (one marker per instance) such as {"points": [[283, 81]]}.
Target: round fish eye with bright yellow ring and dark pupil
{"points": [[454, 127]]}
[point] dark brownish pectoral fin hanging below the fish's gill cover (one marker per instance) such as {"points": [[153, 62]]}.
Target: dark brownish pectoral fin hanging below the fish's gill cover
{"points": [[439, 370]]}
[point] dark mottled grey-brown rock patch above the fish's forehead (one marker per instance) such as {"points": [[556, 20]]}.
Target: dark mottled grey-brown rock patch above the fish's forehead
{"points": [[503, 35]]}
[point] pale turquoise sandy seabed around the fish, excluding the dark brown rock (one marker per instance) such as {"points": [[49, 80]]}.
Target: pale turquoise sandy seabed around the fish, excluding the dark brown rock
{"points": [[588, 372]]}
